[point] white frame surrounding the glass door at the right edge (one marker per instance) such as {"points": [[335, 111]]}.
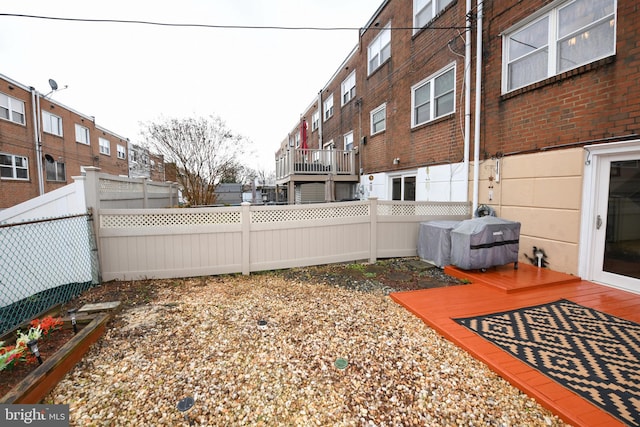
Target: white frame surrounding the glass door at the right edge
{"points": [[592, 190]]}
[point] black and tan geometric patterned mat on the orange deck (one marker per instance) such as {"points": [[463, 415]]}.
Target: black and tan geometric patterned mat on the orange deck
{"points": [[592, 353]]}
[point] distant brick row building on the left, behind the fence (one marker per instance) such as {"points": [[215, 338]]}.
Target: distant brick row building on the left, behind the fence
{"points": [[43, 144]]}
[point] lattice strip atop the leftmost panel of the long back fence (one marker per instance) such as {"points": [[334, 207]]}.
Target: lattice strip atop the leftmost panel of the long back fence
{"points": [[169, 219]]}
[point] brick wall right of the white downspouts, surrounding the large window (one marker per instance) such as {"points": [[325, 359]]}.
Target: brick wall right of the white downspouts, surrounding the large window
{"points": [[596, 101]]}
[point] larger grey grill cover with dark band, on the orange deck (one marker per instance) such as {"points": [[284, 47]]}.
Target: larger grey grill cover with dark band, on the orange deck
{"points": [[484, 242]]}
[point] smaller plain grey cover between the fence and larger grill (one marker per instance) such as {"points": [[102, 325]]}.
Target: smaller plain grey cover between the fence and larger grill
{"points": [[434, 242]]}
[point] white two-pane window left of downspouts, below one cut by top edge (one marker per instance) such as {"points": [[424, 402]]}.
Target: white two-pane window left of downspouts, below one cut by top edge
{"points": [[433, 97]]}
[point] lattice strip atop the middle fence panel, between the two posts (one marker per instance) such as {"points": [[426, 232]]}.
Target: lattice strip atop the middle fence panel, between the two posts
{"points": [[309, 214]]}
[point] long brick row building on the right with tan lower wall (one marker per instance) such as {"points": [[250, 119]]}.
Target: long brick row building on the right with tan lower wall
{"points": [[543, 125]]}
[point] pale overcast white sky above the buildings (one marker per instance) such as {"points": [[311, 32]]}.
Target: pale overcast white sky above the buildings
{"points": [[259, 81]]}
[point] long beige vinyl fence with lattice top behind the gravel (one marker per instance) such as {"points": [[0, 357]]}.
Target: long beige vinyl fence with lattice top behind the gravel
{"points": [[170, 243]]}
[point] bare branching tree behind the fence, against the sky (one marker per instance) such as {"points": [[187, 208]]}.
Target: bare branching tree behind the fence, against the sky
{"points": [[204, 150]]}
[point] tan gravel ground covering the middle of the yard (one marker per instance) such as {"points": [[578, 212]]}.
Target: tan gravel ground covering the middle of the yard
{"points": [[200, 338]]}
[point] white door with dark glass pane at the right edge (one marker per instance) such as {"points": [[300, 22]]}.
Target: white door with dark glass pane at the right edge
{"points": [[616, 238]]}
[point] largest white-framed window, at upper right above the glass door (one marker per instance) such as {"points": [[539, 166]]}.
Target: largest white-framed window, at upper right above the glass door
{"points": [[565, 37]]}
